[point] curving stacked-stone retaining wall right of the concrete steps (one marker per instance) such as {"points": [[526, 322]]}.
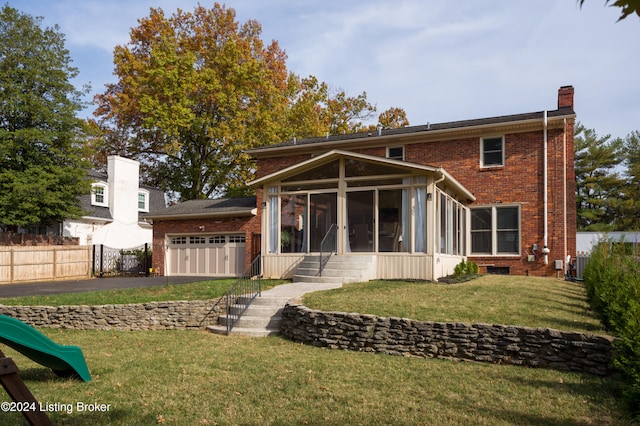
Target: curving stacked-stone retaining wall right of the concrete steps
{"points": [[498, 344]]}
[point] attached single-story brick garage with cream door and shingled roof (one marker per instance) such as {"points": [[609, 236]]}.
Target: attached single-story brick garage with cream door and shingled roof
{"points": [[207, 238]]}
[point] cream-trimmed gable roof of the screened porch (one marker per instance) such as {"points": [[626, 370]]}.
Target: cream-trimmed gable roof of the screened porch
{"points": [[335, 154]]}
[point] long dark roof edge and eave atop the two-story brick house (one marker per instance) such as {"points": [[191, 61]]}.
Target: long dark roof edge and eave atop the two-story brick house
{"points": [[437, 130]]}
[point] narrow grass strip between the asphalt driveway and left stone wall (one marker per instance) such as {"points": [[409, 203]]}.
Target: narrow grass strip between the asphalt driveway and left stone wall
{"points": [[202, 290]]}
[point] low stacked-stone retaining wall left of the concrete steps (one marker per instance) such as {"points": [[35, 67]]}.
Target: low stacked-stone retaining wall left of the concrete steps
{"points": [[135, 316]]}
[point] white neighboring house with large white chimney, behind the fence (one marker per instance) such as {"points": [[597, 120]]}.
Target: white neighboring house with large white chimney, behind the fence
{"points": [[115, 206]]}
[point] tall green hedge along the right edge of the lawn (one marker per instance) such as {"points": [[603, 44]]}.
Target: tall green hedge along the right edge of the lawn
{"points": [[612, 281]]}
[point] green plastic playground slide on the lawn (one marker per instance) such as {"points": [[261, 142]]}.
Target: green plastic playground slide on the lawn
{"points": [[63, 360]]}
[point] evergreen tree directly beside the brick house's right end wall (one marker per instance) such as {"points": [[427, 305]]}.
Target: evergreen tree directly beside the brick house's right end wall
{"points": [[599, 189]]}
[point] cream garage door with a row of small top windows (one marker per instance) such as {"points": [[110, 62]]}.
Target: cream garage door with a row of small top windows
{"points": [[206, 255]]}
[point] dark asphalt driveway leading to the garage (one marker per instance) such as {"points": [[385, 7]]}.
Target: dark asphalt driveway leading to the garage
{"points": [[77, 286]]}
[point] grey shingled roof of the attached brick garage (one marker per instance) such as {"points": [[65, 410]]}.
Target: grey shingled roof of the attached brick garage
{"points": [[209, 208]]}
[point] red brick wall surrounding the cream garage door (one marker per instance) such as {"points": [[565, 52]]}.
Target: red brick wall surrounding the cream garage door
{"points": [[162, 228]]}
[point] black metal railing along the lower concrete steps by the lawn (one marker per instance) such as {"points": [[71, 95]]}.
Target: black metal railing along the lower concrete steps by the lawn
{"points": [[241, 294]]}
